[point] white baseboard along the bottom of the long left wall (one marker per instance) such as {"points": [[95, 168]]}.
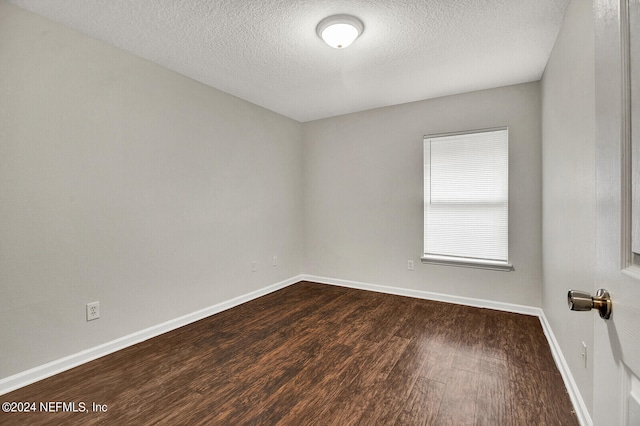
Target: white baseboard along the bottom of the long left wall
{"points": [[52, 368]]}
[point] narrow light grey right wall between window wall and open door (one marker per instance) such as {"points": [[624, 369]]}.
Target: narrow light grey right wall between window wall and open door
{"points": [[568, 170]]}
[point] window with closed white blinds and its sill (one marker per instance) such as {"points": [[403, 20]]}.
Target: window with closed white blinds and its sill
{"points": [[466, 199]]}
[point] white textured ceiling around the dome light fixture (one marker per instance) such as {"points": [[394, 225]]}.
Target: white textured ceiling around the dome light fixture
{"points": [[267, 51]]}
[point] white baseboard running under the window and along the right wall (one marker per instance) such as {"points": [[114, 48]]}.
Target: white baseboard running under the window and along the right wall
{"points": [[576, 398]]}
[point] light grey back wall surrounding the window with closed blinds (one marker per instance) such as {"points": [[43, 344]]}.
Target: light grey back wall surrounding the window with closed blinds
{"points": [[363, 194]]}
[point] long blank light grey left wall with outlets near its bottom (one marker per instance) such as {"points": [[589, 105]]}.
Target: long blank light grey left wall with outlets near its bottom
{"points": [[126, 183]]}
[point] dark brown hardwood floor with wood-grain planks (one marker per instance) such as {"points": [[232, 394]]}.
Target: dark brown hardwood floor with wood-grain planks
{"points": [[313, 354]]}
